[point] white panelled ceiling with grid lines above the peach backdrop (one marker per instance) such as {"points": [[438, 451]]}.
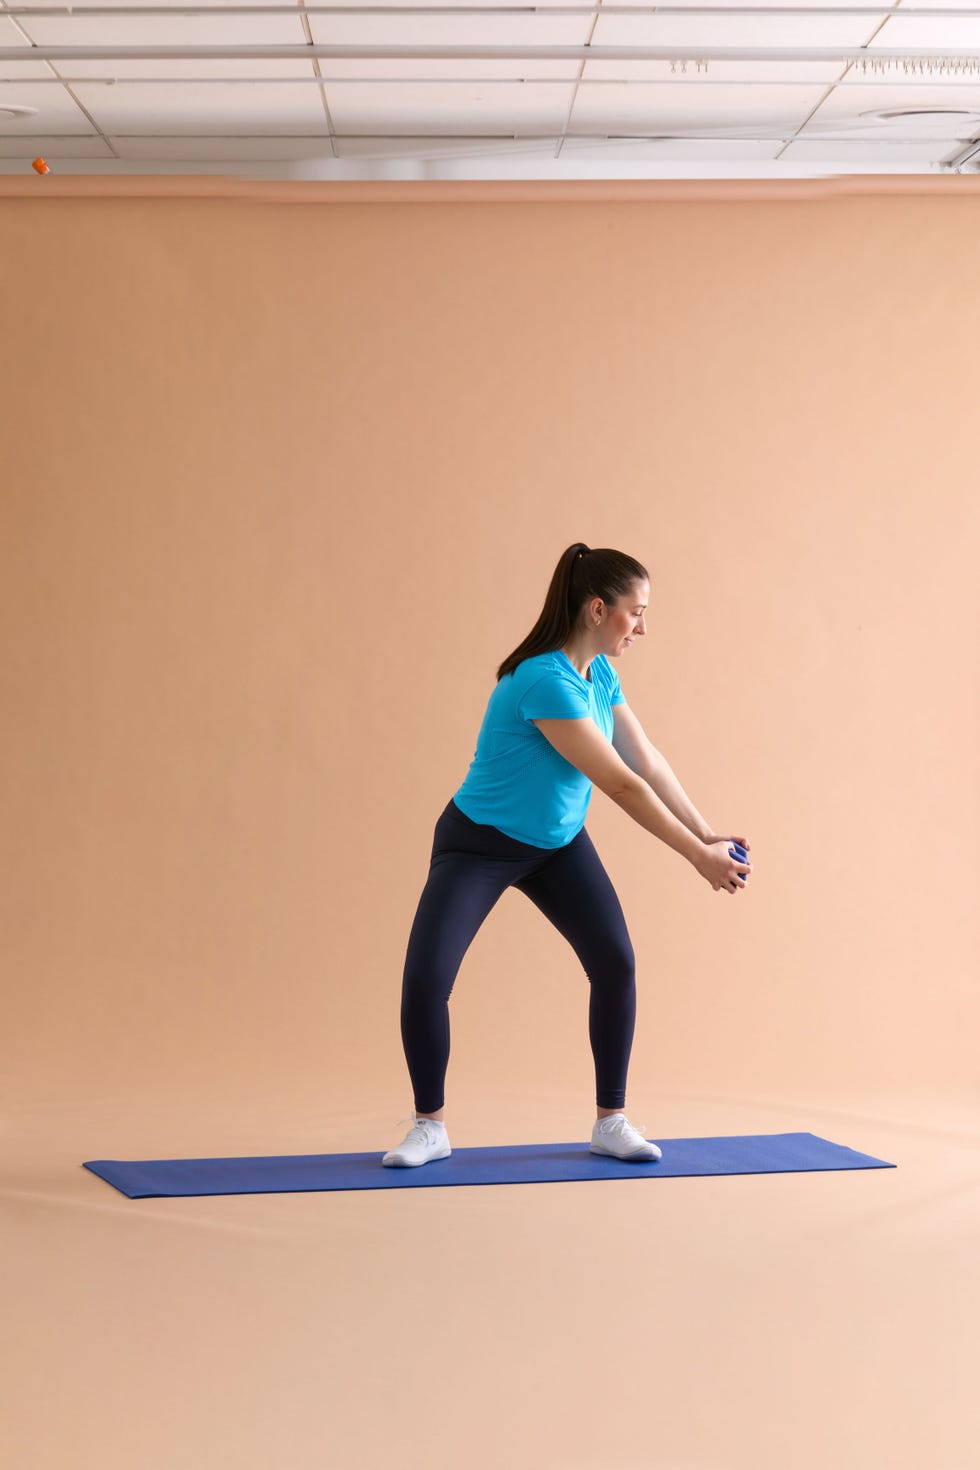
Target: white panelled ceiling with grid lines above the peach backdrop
{"points": [[687, 112]]}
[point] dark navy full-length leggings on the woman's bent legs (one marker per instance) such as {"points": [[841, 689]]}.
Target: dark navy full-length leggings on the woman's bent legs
{"points": [[469, 870]]}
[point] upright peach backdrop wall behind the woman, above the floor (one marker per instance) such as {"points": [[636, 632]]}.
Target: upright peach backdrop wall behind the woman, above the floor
{"points": [[283, 486]]}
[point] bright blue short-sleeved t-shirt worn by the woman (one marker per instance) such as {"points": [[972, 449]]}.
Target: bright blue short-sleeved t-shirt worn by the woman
{"points": [[518, 781]]}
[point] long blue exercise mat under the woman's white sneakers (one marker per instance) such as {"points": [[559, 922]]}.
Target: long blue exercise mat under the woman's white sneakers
{"points": [[511, 1165]]}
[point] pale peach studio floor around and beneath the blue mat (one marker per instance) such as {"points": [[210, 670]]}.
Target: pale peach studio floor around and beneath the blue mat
{"points": [[765, 1322]]}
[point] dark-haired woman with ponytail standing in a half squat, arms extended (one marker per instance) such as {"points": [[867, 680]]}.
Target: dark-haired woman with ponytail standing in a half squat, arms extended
{"points": [[556, 724]]}
